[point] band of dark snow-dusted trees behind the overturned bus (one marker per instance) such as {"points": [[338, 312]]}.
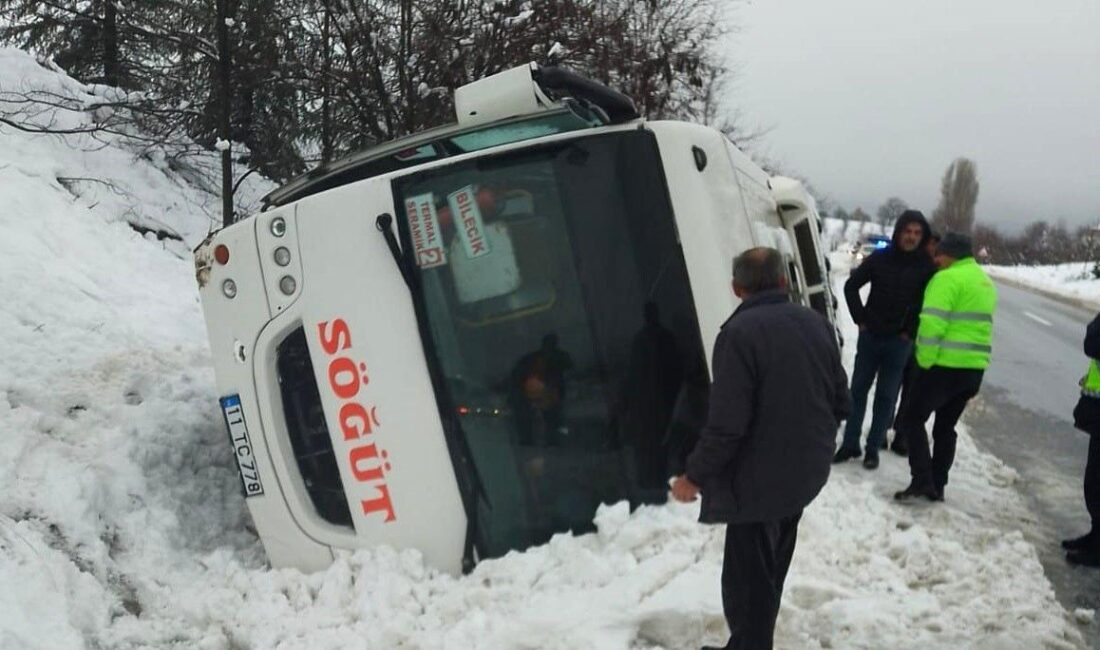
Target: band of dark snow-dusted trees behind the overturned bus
{"points": [[288, 83]]}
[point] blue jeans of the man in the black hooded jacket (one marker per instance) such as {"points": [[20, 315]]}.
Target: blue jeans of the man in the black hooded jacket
{"points": [[883, 356]]}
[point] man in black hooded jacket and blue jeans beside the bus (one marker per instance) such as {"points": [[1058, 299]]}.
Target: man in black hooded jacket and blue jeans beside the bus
{"points": [[887, 326]]}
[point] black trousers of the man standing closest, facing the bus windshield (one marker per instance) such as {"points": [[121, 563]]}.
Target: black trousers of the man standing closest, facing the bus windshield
{"points": [[754, 569]]}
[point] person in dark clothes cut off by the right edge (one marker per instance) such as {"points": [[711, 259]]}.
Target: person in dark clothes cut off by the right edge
{"points": [[1086, 549]]}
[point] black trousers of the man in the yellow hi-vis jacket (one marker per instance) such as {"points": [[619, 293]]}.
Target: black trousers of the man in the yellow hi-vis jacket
{"points": [[944, 392]]}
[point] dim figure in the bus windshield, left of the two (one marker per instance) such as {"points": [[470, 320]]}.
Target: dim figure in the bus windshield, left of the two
{"points": [[538, 389]]}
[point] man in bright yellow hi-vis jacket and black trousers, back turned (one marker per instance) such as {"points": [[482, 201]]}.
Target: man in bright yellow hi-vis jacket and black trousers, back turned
{"points": [[954, 344]]}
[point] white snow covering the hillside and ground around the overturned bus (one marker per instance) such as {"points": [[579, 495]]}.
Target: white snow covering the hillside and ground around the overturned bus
{"points": [[123, 526]]}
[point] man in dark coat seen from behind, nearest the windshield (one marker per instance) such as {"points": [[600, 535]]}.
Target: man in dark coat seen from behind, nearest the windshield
{"points": [[778, 395]]}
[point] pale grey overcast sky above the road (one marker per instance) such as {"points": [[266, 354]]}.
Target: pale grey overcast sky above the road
{"points": [[874, 98]]}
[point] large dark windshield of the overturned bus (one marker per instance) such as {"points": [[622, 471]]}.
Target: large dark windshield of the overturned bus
{"points": [[559, 315]]}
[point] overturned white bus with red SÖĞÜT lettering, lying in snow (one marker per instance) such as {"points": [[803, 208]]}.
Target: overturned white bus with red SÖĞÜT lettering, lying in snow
{"points": [[466, 340]]}
